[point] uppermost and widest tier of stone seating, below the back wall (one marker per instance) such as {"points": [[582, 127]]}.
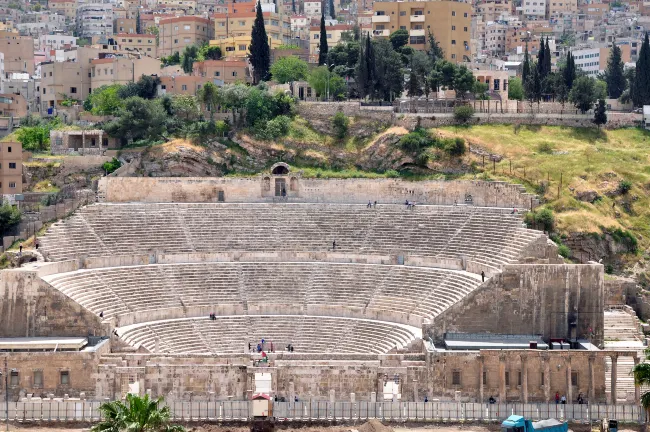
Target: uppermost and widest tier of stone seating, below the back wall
{"points": [[488, 236]]}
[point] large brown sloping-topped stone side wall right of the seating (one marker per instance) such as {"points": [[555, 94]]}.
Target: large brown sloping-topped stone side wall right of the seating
{"points": [[532, 299]]}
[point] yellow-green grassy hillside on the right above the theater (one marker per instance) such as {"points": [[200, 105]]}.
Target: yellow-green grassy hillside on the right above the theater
{"points": [[584, 159]]}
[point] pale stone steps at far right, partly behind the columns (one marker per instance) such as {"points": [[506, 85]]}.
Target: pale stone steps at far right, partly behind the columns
{"points": [[622, 331]]}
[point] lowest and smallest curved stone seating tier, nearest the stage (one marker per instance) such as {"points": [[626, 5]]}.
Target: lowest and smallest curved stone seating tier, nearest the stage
{"points": [[307, 334]]}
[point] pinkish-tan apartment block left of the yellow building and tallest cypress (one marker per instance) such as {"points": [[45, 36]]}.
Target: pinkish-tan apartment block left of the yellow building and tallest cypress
{"points": [[177, 33]]}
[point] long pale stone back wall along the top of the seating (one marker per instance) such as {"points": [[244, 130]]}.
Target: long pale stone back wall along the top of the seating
{"points": [[350, 191]]}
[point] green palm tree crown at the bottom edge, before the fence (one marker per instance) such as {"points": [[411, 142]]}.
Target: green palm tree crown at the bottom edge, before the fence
{"points": [[137, 415]]}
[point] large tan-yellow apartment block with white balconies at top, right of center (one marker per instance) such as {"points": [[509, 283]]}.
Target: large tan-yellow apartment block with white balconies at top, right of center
{"points": [[448, 21]]}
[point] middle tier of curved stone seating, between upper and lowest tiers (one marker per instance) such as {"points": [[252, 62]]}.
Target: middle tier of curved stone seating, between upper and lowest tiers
{"points": [[411, 295]]}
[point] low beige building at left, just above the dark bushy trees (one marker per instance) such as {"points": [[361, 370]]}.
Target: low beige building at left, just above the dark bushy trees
{"points": [[120, 70]]}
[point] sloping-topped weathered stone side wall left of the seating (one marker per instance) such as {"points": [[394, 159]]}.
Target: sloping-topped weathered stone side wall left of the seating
{"points": [[30, 307]]}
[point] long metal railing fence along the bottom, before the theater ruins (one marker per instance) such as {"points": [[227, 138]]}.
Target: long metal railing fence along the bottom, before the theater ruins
{"points": [[327, 411]]}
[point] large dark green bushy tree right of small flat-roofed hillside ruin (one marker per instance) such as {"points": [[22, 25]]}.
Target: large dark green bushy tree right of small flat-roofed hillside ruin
{"points": [[139, 119]]}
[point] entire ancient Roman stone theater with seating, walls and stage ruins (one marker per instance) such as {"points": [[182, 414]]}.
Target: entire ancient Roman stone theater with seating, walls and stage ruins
{"points": [[193, 288]]}
